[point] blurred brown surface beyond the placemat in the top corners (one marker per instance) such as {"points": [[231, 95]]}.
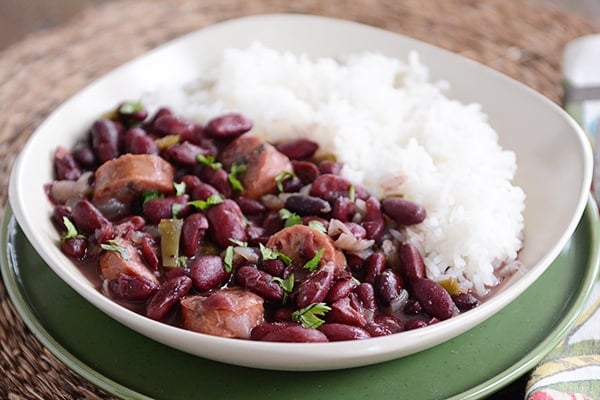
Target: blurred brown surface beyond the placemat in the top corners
{"points": [[18, 18]]}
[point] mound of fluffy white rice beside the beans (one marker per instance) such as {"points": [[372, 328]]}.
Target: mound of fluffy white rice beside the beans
{"points": [[395, 131]]}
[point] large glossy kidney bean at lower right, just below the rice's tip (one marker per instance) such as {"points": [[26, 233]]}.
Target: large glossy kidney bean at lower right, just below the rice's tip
{"points": [[434, 299]]}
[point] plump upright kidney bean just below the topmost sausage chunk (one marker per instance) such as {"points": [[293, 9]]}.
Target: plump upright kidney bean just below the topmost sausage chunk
{"points": [[226, 221]]}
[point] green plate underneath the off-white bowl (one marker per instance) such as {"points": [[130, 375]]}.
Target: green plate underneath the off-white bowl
{"points": [[473, 365]]}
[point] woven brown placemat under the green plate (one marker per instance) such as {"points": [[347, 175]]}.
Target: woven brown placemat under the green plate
{"points": [[520, 38]]}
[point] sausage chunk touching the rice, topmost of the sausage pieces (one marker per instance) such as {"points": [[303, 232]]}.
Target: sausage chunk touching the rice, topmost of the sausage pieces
{"points": [[263, 164]]}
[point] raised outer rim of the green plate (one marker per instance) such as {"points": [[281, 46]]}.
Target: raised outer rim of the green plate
{"points": [[486, 388]]}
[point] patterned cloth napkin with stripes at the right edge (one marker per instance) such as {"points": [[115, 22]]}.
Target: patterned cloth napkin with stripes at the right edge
{"points": [[572, 370]]}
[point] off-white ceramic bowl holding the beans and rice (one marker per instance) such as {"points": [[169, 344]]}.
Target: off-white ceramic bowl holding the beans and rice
{"points": [[555, 167]]}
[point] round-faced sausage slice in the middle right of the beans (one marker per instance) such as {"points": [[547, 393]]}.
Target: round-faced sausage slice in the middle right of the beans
{"points": [[301, 243]]}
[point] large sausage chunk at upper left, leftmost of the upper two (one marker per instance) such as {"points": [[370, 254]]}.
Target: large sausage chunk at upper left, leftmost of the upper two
{"points": [[124, 179]]}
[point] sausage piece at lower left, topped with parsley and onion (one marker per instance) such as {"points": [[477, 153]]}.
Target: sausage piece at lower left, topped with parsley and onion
{"points": [[126, 260]]}
